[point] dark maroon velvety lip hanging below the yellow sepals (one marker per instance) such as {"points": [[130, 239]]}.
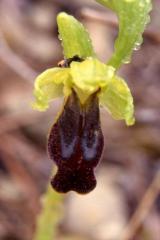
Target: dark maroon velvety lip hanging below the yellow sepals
{"points": [[75, 144]]}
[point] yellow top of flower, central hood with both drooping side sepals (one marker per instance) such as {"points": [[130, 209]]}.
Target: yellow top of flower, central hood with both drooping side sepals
{"points": [[85, 78]]}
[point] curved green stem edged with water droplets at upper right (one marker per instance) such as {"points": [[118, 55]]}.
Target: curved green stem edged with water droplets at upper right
{"points": [[133, 16]]}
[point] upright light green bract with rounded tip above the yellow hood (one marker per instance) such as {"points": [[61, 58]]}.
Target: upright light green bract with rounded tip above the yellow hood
{"points": [[75, 38]]}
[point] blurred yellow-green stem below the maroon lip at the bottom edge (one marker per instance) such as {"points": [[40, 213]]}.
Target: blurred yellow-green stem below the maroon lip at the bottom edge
{"points": [[49, 216]]}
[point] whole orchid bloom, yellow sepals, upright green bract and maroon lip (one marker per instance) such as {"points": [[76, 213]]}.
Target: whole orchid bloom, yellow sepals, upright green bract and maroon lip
{"points": [[75, 141]]}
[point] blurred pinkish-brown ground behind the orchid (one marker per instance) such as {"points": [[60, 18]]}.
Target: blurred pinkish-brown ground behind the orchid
{"points": [[126, 202]]}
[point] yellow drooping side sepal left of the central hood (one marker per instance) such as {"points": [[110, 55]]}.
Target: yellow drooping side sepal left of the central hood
{"points": [[48, 86]]}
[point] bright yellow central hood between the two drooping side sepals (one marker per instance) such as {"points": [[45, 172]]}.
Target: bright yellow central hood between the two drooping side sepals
{"points": [[89, 76]]}
